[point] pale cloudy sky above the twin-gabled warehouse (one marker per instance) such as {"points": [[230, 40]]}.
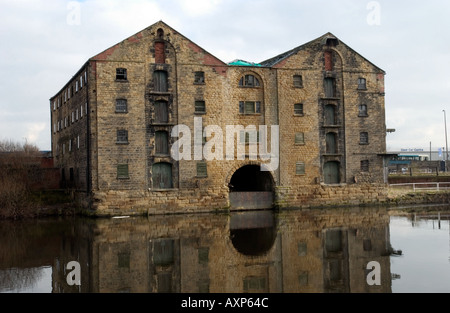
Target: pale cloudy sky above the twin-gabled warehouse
{"points": [[45, 42]]}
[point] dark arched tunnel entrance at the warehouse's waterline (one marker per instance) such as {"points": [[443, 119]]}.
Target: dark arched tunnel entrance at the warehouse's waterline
{"points": [[251, 188]]}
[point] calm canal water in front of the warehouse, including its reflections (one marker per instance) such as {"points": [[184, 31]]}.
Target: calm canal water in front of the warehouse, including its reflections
{"points": [[363, 250]]}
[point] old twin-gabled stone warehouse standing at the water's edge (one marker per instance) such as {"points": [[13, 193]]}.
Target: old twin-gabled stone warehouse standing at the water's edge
{"points": [[114, 125]]}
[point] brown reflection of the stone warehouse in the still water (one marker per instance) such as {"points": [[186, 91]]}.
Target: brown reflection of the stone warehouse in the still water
{"points": [[322, 251]]}
